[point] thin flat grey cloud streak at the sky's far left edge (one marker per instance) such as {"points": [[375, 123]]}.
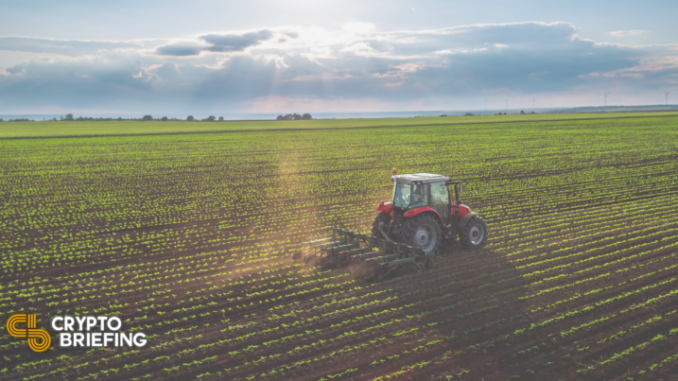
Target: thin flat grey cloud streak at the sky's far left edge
{"points": [[64, 47]]}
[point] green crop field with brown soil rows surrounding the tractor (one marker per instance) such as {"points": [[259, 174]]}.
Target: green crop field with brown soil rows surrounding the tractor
{"points": [[195, 239]]}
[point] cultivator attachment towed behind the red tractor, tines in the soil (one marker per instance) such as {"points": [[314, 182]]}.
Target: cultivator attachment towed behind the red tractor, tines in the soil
{"points": [[376, 256]]}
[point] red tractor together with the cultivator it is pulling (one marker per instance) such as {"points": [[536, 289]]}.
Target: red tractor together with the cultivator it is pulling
{"points": [[408, 231]]}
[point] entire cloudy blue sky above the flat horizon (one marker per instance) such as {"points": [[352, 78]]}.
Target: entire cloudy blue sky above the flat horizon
{"points": [[264, 56]]}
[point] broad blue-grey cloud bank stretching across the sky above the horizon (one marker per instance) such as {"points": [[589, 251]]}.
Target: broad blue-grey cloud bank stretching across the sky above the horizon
{"points": [[322, 69]]}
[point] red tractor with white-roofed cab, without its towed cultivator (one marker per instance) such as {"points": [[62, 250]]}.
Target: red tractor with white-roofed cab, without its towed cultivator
{"points": [[423, 212]]}
